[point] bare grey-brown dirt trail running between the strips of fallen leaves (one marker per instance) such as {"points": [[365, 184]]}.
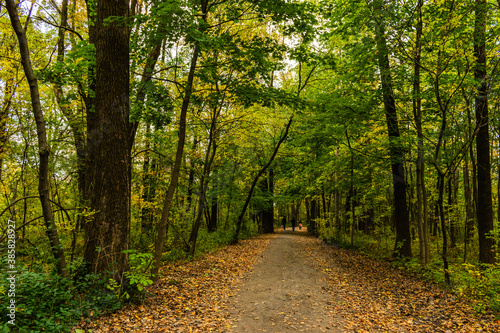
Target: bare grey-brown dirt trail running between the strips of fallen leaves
{"points": [[285, 291]]}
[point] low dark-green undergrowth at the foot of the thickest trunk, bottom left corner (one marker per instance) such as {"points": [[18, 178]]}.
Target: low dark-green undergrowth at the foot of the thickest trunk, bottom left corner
{"points": [[47, 301]]}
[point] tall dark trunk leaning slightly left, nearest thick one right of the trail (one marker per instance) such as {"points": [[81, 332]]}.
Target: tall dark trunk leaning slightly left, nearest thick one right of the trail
{"points": [[402, 220]]}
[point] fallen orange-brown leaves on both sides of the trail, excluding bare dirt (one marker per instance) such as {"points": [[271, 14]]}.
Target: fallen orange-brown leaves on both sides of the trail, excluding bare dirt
{"points": [[367, 295]]}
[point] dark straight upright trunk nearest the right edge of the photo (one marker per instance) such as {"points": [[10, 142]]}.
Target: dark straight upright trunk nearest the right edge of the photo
{"points": [[484, 201]]}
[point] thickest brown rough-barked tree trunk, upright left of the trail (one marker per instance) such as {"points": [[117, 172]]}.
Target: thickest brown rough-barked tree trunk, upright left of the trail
{"points": [[108, 176]]}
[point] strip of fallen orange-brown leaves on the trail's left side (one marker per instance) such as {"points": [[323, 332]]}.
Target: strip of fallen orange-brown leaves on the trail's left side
{"points": [[192, 296]]}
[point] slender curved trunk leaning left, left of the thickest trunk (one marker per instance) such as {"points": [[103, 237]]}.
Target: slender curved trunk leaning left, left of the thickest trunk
{"points": [[43, 147]]}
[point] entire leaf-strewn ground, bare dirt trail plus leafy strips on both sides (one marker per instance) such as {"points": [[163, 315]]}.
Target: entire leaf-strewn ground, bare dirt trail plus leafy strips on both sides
{"points": [[291, 282]]}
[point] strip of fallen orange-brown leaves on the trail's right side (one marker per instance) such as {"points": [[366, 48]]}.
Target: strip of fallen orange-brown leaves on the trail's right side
{"points": [[373, 296]]}
